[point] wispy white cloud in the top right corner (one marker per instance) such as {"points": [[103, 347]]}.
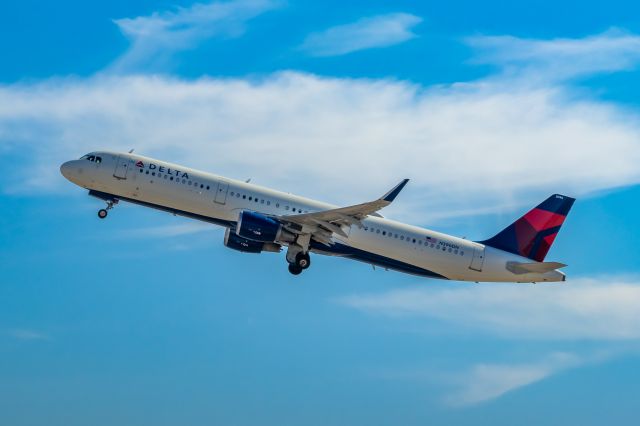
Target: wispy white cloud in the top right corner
{"points": [[560, 58]]}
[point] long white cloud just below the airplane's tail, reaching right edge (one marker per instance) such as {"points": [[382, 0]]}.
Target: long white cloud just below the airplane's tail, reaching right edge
{"points": [[583, 309]]}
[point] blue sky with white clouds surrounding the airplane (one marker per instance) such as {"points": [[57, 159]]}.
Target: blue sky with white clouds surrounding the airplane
{"points": [[488, 107]]}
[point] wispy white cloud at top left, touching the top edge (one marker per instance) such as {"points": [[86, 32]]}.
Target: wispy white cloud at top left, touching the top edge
{"points": [[156, 37]]}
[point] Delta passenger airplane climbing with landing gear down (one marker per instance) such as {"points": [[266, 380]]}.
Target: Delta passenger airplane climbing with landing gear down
{"points": [[259, 219]]}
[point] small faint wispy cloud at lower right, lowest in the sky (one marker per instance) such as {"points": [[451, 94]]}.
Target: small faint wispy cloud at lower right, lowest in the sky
{"points": [[485, 382]]}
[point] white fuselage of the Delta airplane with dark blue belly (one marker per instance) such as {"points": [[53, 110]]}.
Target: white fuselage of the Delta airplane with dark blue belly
{"points": [[220, 200]]}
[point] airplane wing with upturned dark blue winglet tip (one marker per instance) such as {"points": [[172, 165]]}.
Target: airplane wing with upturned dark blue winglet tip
{"points": [[323, 224]]}
